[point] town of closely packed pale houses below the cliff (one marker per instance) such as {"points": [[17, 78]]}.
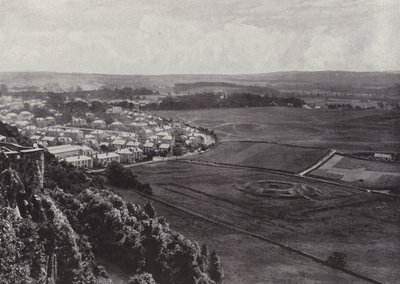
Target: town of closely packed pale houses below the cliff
{"points": [[126, 136]]}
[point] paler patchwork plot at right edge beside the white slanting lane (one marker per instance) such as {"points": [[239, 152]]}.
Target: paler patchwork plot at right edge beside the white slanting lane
{"points": [[360, 172]]}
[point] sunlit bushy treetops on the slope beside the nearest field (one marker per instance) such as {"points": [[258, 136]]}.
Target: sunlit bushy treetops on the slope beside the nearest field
{"points": [[125, 233]]}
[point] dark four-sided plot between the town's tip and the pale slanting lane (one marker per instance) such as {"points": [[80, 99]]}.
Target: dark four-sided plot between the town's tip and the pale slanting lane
{"points": [[263, 155]]}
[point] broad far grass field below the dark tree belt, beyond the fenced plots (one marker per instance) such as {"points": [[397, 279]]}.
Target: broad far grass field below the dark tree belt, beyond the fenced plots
{"points": [[344, 130]]}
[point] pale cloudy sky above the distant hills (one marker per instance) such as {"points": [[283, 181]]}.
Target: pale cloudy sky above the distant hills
{"points": [[199, 36]]}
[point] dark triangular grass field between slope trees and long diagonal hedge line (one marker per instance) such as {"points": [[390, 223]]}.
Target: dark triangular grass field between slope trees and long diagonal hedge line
{"points": [[251, 261]]}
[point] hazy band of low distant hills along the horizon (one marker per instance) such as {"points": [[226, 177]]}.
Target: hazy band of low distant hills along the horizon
{"points": [[166, 83]]}
